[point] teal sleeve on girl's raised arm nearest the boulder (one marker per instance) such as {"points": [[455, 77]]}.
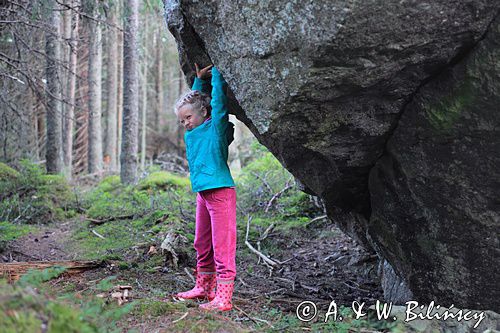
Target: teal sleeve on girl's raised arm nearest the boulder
{"points": [[220, 115]]}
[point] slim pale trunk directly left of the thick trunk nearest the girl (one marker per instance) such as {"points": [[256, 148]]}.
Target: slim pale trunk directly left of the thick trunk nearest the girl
{"points": [[110, 150]]}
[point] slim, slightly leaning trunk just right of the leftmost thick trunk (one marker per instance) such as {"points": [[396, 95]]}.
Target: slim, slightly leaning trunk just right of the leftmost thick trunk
{"points": [[70, 107]]}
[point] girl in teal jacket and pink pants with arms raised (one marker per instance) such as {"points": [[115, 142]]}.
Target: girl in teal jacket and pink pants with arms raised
{"points": [[206, 122]]}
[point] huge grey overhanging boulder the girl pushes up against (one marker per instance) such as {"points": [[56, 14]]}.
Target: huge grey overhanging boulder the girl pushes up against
{"points": [[358, 100]]}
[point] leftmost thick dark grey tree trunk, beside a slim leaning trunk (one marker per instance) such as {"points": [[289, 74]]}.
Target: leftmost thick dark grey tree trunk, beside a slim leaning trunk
{"points": [[54, 157]]}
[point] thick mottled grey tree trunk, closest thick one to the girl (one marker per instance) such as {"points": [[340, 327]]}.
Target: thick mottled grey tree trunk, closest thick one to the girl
{"points": [[128, 158]]}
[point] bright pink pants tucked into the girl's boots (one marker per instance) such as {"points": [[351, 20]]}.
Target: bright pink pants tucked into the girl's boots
{"points": [[215, 234]]}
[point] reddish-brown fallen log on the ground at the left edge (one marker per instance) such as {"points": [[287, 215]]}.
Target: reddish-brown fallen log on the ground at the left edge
{"points": [[14, 270]]}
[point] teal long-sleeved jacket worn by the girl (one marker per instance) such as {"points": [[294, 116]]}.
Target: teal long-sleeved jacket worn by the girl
{"points": [[207, 144]]}
